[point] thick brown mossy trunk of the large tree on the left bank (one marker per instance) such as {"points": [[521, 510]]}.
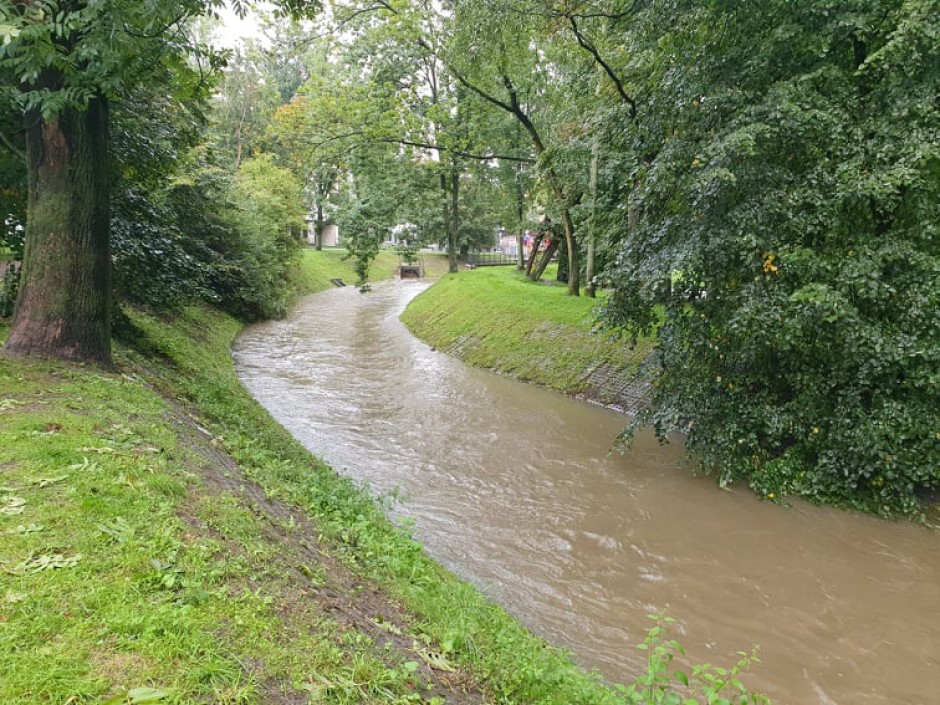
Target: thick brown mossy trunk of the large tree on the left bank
{"points": [[63, 309]]}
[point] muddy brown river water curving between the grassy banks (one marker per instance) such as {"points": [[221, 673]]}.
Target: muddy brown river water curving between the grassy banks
{"points": [[513, 488]]}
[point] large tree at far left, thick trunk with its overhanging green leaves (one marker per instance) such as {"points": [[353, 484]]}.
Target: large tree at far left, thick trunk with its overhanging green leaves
{"points": [[67, 62]]}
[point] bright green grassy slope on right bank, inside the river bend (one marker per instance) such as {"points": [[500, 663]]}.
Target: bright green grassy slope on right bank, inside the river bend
{"points": [[496, 318]]}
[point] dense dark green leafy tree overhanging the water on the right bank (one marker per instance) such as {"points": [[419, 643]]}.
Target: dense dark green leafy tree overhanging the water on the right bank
{"points": [[787, 243]]}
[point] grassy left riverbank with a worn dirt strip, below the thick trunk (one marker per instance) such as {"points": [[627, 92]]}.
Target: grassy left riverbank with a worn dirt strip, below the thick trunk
{"points": [[162, 539]]}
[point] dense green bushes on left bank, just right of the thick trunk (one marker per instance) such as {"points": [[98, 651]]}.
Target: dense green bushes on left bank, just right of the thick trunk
{"points": [[185, 228]]}
